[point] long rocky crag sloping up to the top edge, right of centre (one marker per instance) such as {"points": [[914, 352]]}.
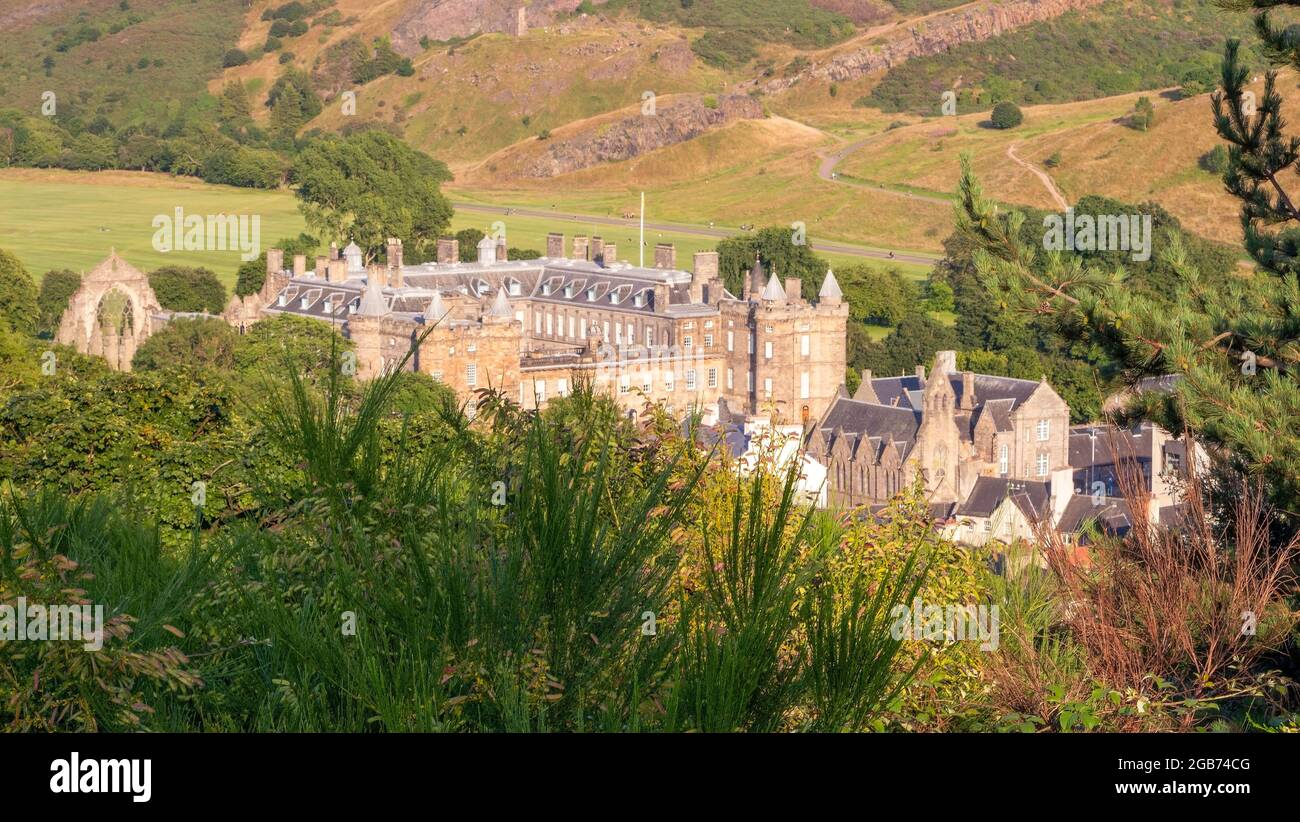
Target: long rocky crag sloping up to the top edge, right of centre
{"points": [[933, 37]]}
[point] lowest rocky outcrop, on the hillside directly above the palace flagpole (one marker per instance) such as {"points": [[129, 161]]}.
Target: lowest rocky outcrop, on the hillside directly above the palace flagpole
{"points": [[632, 137]]}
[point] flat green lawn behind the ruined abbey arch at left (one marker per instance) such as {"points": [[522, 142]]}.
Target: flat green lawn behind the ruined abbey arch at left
{"points": [[73, 219]]}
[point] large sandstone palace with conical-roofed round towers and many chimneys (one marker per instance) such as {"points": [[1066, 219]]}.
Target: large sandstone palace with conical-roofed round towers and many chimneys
{"points": [[531, 328]]}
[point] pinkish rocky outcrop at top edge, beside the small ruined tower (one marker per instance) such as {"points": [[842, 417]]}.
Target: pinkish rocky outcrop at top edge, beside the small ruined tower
{"points": [[448, 20]]}
